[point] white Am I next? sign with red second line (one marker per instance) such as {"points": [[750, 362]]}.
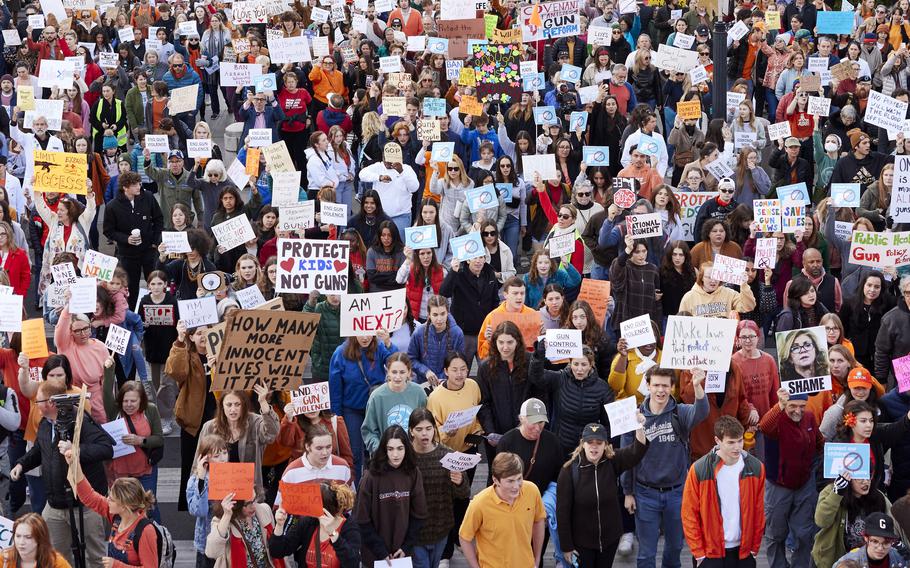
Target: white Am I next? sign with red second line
{"points": [[365, 314]]}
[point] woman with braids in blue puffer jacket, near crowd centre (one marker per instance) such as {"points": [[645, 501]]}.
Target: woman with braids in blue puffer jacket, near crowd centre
{"points": [[432, 341]]}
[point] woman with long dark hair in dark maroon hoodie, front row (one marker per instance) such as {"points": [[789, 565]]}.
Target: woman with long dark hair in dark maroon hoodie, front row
{"points": [[390, 527]]}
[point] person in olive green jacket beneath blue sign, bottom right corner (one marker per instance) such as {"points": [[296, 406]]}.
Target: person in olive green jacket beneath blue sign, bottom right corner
{"points": [[842, 505]]}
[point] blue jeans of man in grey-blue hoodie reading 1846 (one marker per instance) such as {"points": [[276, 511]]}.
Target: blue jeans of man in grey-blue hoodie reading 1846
{"points": [[655, 510]]}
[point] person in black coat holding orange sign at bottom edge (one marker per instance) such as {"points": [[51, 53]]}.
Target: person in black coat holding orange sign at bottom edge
{"points": [[334, 527]]}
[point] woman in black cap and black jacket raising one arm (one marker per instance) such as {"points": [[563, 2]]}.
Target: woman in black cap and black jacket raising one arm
{"points": [[588, 513]]}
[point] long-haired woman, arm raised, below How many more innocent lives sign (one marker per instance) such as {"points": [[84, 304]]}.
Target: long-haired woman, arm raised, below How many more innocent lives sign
{"points": [[247, 433]]}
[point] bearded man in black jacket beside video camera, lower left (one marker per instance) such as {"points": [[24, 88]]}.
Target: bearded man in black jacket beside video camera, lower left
{"points": [[55, 433]]}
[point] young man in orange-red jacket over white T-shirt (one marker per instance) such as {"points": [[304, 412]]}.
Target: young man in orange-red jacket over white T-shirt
{"points": [[723, 509]]}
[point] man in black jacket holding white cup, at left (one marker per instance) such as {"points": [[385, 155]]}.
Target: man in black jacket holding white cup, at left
{"points": [[133, 220]]}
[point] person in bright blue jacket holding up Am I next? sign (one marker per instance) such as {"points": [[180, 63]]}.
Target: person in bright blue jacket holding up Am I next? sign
{"points": [[356, 367]]}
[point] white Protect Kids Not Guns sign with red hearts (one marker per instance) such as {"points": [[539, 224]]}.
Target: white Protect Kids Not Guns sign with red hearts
{"points": [[309, 264]]}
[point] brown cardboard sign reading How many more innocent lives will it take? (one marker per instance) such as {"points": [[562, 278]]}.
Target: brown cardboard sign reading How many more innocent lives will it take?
{"points": [[264, 346]]}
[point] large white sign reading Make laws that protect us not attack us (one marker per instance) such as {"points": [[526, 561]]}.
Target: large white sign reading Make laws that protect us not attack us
{"points": [[706, 343]]}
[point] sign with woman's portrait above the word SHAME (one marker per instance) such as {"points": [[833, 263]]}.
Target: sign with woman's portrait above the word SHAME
{"points": [[802, 356]]}
